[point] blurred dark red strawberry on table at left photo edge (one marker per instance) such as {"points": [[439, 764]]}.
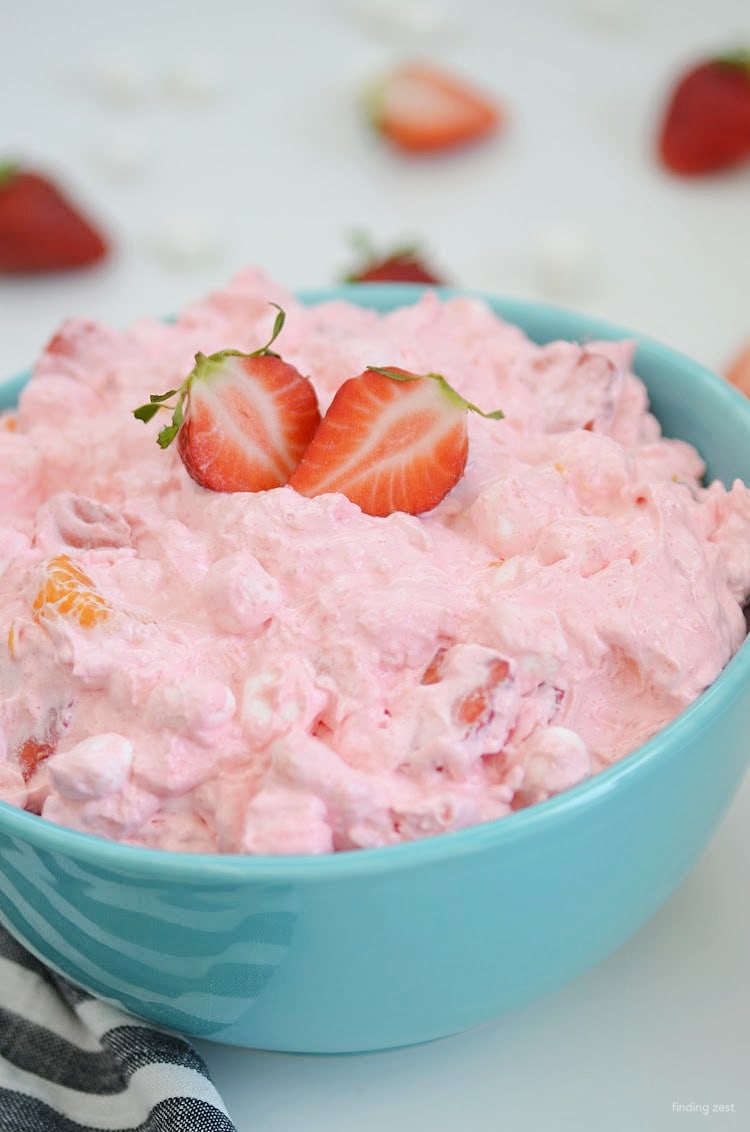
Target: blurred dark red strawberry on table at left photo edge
{"points": [[41, 230]]}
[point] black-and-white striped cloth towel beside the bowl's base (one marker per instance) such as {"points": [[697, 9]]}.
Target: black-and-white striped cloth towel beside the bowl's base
{"points": [[72, 1064]]}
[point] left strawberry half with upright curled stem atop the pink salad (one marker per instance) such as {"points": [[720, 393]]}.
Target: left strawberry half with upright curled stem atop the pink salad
{"points": [[243, 421]]}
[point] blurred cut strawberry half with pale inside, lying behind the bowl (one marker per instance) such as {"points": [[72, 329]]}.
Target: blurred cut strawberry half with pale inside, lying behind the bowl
{"points": [[421, 109]]}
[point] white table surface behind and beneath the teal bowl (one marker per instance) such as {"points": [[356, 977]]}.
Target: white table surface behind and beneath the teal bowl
{"points": [[206, 136]]}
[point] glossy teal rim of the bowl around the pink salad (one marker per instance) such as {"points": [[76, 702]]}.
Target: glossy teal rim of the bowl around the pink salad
{"points": [[242, 869]]}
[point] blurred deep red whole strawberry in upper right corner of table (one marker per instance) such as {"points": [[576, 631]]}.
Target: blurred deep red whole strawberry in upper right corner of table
{"points": [[706, 125]]}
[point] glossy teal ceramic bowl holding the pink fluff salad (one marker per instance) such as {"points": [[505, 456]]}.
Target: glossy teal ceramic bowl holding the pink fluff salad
{"points": [[383, 948]]}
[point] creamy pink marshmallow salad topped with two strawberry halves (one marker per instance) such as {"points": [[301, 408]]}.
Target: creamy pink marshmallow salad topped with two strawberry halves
{"points": [[432, 615]]}
